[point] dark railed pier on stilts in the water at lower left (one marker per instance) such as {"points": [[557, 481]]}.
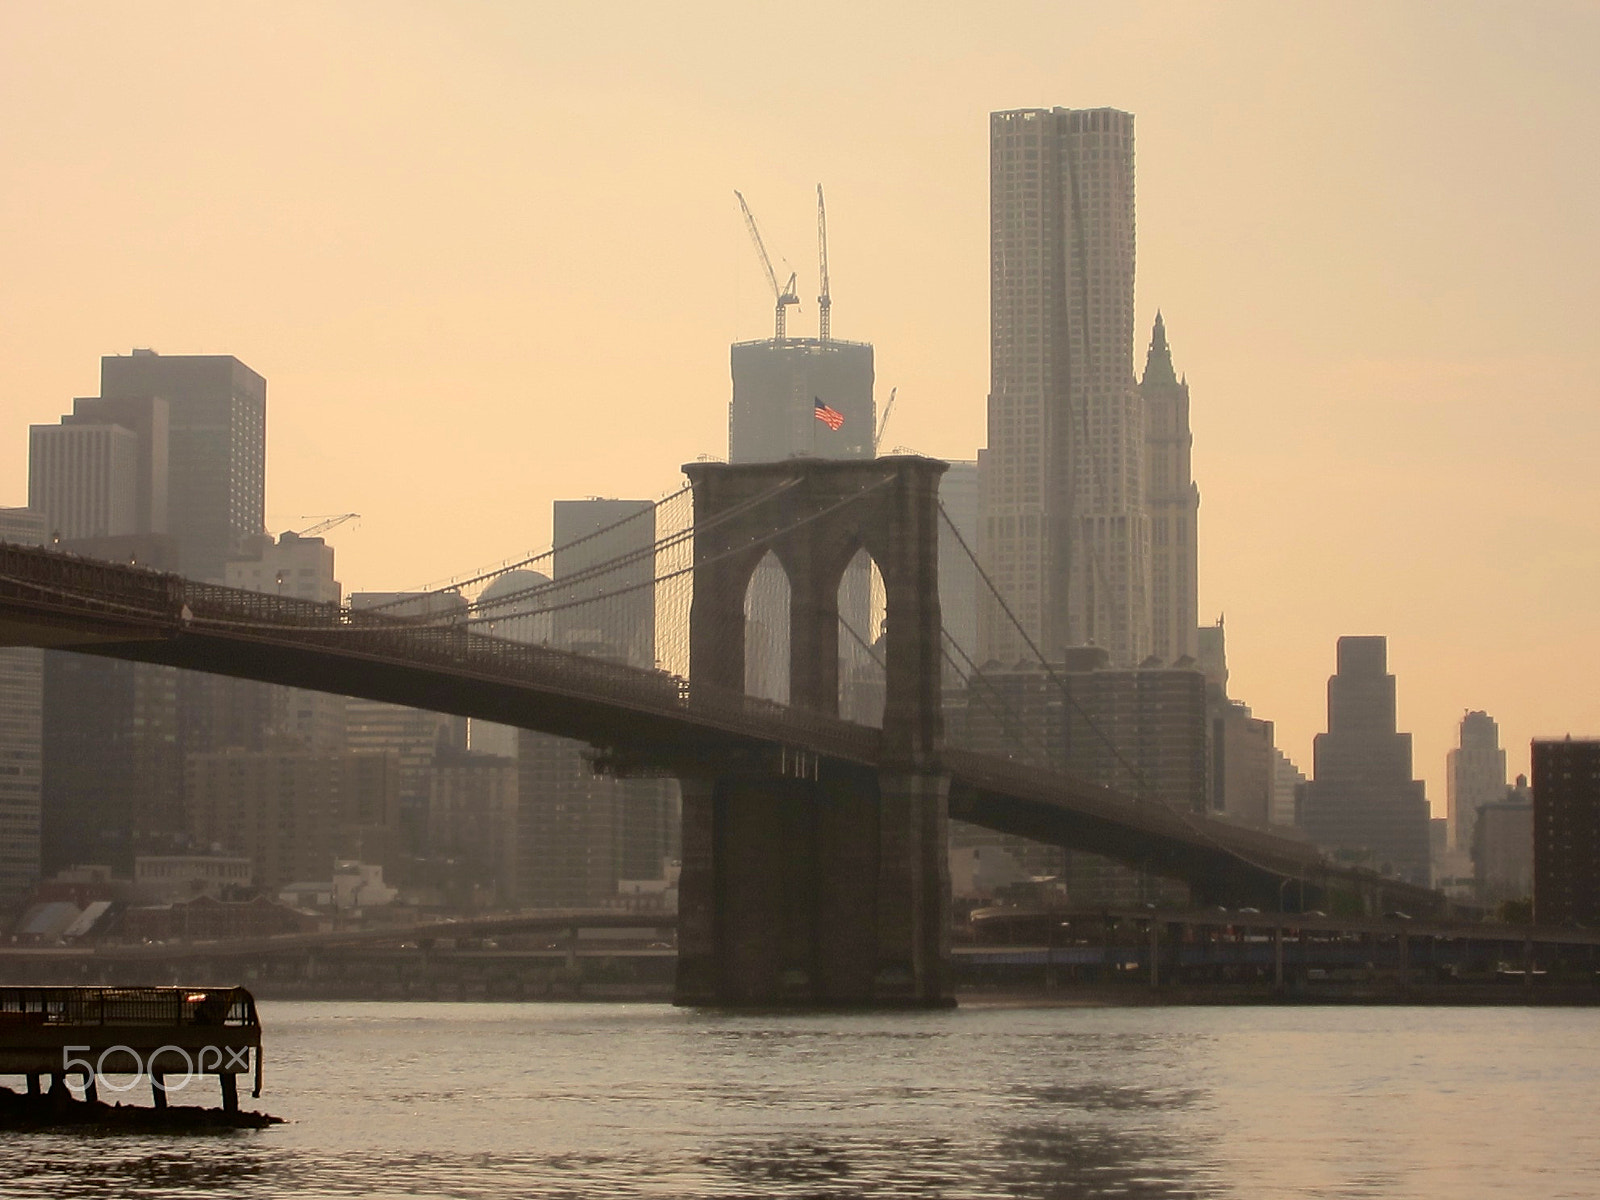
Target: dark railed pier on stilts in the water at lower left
{"points": [[174, 1036]]}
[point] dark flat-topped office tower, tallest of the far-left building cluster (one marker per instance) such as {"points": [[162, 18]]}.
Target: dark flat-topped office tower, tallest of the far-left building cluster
{"points": [[217, 449]]}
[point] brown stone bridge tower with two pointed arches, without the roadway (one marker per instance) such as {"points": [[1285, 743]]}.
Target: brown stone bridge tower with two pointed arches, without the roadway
{"points": [[818, 882]]}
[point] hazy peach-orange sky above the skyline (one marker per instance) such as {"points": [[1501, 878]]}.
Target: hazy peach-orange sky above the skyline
{"points": [[487, 255]]}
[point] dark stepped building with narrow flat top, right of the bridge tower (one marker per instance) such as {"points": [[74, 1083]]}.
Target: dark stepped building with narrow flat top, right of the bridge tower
{"points": [[1362, 804]]}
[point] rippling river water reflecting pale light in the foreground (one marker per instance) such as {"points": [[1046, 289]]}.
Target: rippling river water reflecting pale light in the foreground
{"points": [[484, 1102]]}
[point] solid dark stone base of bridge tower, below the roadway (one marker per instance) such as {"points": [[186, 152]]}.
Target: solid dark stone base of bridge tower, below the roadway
{"points": [[810, 894]]}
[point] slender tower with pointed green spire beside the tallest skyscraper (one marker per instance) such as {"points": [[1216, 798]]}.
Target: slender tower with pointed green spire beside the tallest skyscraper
{"points": [[1174, 503]]}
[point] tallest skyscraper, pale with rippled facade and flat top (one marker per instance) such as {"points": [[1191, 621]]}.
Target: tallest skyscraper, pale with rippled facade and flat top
{"points": [[1065, 527]]}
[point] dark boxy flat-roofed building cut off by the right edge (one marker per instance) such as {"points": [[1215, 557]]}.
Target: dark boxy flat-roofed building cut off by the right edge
{"points": [[1567, 831]]}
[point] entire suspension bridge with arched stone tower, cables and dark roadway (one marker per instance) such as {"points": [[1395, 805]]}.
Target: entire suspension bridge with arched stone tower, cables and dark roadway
{"points": [[815, 849]]}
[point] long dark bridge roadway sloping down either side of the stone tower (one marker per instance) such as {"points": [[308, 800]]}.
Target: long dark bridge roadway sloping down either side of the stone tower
{"points": [[639, 721]]}
